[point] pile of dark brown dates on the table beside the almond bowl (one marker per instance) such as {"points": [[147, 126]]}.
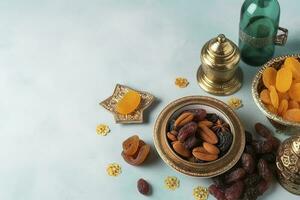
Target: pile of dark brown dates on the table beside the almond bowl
{"points": [[252, 175]]}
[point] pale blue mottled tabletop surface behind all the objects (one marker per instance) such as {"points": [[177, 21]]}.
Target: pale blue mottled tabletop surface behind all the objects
{"points": [[60, 58]]}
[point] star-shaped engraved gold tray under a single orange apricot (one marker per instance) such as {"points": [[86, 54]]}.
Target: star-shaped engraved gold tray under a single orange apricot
{"points": [[134, 117]]}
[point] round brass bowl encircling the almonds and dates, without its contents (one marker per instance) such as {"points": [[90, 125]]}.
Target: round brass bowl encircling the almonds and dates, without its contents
{"points": [[209, 169]]}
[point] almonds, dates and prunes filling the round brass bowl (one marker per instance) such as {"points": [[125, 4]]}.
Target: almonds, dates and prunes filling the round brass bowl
{"points": [[198, 136]]}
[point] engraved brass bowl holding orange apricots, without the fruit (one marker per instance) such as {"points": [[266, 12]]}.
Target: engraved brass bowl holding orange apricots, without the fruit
{"points": [[278, 122]]}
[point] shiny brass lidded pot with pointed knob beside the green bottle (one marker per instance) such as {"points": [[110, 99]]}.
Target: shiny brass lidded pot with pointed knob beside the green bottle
{"points": [[219, 73]]}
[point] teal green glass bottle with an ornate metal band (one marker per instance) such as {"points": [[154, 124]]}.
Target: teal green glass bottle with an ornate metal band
{"points": [[259, 22]]}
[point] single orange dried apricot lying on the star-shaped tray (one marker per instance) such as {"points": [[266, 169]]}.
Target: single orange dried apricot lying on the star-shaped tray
{"points": [[130, 101]]}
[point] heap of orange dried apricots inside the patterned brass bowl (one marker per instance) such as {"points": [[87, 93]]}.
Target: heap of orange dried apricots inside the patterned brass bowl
{"points": [[282, 93]]}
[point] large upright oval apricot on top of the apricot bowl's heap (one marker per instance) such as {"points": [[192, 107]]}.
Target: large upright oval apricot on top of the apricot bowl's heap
{"points": [[284, 80]]}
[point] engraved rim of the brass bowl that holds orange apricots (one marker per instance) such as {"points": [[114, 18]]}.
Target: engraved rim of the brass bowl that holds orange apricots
{"points": [[256, 80]]}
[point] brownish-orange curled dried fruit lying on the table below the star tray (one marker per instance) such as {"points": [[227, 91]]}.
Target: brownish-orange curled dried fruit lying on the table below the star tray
{"points": [[135, 151]]}
